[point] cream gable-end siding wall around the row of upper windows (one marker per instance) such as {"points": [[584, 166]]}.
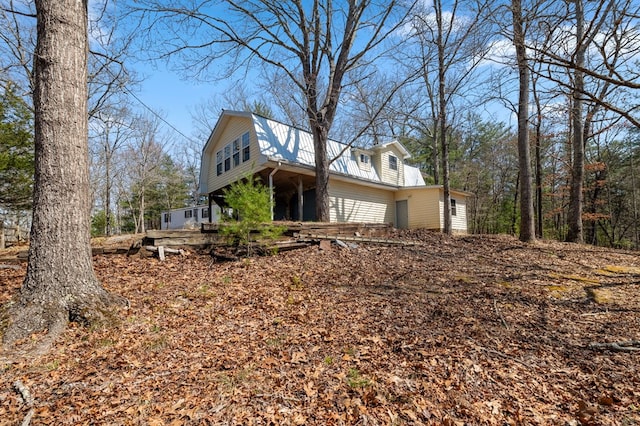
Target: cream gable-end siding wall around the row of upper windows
{"points": [[235, 128]]}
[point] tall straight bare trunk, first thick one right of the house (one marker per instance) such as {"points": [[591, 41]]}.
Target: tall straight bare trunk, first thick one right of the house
{"points": [[527, 227]]}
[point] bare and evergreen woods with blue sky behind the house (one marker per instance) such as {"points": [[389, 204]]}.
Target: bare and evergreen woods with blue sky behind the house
{"points": [[442, 78]]}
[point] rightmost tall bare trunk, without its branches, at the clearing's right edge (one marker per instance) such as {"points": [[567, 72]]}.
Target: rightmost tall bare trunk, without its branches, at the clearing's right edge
{"points": [[575, 231]]}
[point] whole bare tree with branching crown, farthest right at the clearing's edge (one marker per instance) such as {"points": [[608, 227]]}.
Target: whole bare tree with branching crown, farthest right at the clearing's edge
{"points": [[593, 61]]}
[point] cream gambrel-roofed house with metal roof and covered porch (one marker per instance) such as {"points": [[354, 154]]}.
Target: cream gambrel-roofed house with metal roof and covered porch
{"points": [[372, 185]]}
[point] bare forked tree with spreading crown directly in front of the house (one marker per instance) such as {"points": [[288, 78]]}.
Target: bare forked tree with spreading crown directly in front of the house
{"points": [[316, 45]]}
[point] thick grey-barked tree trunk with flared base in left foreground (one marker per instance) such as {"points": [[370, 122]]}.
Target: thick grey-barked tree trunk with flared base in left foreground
{"points": [[60, 284]]}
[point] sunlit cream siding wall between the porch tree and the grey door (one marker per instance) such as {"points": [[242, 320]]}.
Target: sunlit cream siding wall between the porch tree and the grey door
{"points": [[356, 203]]}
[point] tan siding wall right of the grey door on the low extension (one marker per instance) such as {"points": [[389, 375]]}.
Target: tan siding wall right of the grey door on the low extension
{"points": [[425, 209]]}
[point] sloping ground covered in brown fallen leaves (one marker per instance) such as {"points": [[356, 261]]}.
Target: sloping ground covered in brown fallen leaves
{"points": [[453, 331]]}
